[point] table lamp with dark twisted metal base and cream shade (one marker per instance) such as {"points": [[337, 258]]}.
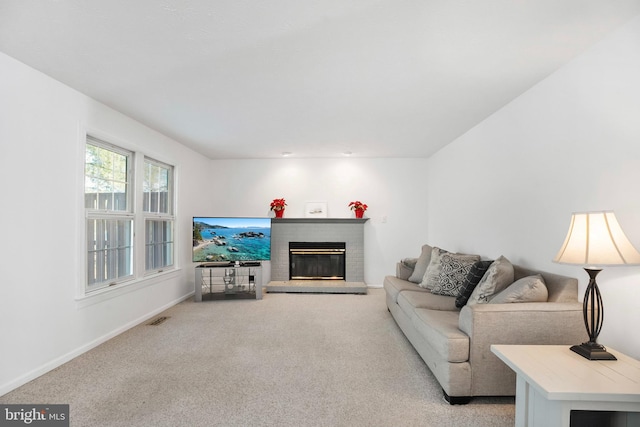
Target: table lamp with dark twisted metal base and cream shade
{"points": [[595, 239]]}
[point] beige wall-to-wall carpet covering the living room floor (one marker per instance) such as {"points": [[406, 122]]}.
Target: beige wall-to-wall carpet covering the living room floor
{"points": [[286, 360]]}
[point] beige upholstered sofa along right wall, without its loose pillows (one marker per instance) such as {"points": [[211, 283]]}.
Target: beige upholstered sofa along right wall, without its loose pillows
{"points": [[455, 343]]}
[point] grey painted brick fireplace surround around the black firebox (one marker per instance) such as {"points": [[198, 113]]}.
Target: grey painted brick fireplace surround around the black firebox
{"points": [[345, 230]]}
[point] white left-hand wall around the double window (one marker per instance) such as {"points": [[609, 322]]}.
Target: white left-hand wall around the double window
{"points": [[42, 324]]}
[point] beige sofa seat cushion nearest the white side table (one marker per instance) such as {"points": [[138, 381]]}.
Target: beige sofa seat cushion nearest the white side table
{"points": [[440, 330]]}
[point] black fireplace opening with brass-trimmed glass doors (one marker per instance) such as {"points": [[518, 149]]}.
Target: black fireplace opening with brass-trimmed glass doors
{"points": [[317, 260]]}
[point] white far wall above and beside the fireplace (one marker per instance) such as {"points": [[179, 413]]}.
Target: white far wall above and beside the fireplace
{"points": [[392, 188]]}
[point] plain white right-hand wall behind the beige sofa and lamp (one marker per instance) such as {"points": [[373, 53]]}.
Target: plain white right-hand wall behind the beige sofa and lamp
{"points": [[571, 143]]}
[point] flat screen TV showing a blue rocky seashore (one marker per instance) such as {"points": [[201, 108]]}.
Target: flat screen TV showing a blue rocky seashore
{"points": [[219, 239]]}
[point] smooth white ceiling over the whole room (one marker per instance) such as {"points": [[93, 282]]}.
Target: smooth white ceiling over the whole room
{"points": [[256, 78]]}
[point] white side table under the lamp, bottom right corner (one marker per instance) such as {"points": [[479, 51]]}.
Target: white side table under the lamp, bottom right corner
{"points": [[552, 381]]}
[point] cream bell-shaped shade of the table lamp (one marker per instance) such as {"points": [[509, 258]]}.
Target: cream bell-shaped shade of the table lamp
{"points": [[596, 238]]}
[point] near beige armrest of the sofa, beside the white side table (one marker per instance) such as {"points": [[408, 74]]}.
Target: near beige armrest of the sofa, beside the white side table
{"points": [[542, 323]]}
